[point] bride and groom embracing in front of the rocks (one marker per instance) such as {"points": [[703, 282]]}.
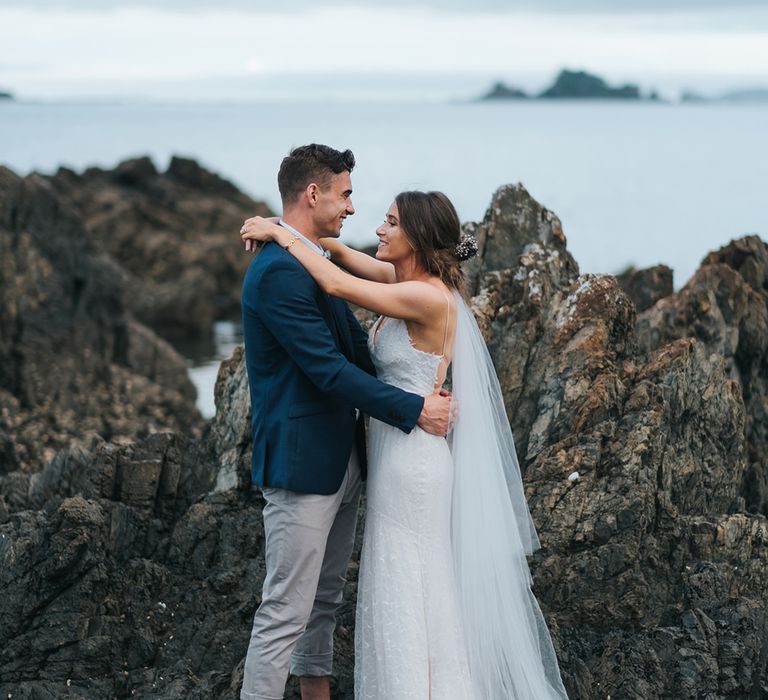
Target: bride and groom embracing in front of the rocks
{"points": [[445, 610]]}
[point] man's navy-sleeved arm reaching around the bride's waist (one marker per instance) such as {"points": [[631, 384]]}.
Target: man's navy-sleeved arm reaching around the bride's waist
{"points": [[287, 307]]}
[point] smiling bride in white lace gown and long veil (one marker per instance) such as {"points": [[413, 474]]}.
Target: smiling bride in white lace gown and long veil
{"points": [[445, 609]]}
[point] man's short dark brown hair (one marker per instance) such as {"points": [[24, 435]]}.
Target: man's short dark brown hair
{"points": [[307, 164]]}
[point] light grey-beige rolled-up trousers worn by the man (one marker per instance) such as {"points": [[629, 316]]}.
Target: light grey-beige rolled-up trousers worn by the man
{"points": [[309, 540]]}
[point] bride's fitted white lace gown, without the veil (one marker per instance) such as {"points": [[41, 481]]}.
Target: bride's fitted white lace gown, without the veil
{"points": [[408, 639]]}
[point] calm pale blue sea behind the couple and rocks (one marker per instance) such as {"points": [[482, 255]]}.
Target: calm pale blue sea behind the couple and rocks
{"points": [[633, 183]]}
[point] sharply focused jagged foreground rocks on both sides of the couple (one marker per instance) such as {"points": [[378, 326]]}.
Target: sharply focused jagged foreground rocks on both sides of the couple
{"points": [[135, 569]]}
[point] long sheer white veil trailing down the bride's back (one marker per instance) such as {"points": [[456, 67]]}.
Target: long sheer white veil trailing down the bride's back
{"points": [[509, 647]]}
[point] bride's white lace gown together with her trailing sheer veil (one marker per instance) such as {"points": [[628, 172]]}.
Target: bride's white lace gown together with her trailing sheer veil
{"points": [[445, 610]]}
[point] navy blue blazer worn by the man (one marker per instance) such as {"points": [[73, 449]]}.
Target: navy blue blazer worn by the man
{"points": [[308, 369]]}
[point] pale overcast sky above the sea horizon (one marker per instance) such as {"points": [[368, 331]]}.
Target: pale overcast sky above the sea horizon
{"points": [[234, 48]]}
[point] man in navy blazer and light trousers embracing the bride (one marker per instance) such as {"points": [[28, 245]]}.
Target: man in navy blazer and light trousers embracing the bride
{"points": [[309, 371]]}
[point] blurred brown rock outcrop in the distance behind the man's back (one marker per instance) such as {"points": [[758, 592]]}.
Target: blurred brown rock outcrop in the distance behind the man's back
{"points": [[171, 234]]}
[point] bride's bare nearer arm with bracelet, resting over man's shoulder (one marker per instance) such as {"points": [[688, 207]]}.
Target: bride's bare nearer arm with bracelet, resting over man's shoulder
{"points": [[412, 300]]}
